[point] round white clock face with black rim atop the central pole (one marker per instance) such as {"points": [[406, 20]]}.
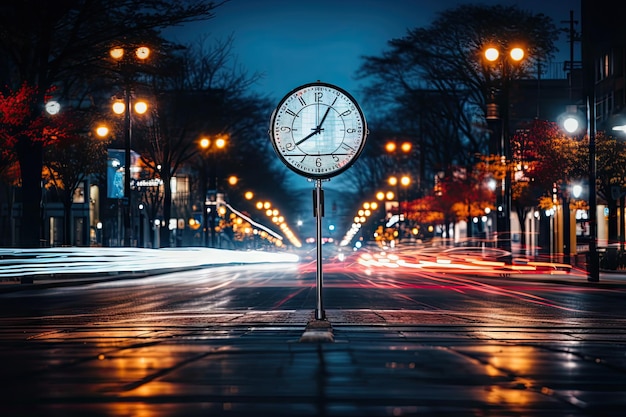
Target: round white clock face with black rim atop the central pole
{"points": [[318, 130]]}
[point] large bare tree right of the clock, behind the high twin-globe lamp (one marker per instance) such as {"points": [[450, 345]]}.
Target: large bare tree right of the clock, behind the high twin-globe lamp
{"points": [[436, 78]]}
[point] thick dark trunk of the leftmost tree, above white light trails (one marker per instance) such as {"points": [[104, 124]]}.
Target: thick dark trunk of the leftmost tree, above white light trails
{"points": [[30, 156]]}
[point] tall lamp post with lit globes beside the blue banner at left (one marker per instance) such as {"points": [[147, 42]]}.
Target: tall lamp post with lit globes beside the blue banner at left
{"points": [[126, 61]]}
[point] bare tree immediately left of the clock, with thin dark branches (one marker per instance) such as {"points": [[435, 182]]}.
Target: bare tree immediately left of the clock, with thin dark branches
{"points": [[201, 92]]}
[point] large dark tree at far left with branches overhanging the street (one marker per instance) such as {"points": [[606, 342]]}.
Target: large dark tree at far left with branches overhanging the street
{"points": [[45, 42]]}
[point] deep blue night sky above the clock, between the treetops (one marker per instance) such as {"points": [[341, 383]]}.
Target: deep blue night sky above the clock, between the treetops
{"points": [[296, 42]]}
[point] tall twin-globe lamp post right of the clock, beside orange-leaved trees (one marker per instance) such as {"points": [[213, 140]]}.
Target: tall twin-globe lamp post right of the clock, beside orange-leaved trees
{"points": [[503, 145]]}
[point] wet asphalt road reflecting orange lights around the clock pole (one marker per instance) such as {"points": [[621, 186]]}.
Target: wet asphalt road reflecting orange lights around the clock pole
{"points": [[243, 341]]}
